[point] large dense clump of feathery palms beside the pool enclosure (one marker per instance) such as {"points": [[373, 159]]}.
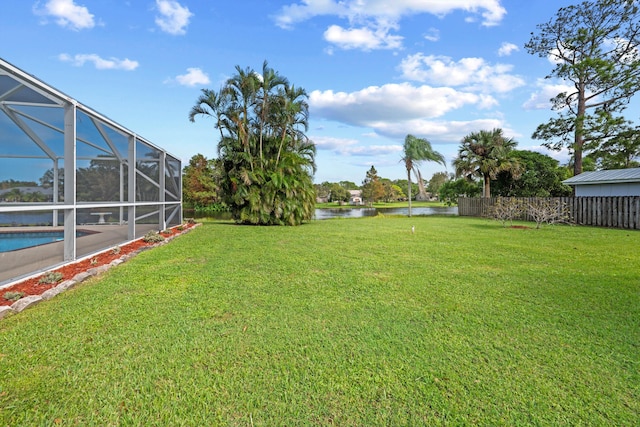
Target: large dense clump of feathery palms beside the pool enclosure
{"points": [[267, 160]]}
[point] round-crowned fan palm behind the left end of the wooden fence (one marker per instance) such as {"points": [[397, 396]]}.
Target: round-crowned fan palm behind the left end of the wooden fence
{"points": [[485, 154]]}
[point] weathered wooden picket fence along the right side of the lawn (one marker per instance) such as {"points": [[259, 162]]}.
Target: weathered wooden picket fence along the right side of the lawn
{"points": [[615, 212]]}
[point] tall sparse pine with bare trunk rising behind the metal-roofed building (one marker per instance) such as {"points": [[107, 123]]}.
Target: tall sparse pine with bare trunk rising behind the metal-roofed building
{"points": [[594, 45]]}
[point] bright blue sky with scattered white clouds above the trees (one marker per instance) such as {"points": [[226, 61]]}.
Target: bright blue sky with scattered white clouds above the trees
{"points": [[375, 70]]}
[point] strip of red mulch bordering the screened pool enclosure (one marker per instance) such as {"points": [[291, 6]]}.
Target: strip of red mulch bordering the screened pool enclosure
{"points": [[32, 287]]}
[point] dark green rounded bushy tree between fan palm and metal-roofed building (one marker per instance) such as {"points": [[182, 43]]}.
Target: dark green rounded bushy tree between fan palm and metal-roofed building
{"points": [[541, 176]]}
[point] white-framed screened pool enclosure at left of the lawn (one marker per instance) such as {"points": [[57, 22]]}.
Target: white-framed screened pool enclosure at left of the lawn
{"points": [[74, 174]]}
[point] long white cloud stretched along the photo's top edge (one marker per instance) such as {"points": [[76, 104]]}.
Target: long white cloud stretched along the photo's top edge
{"points": [[385, 11]]}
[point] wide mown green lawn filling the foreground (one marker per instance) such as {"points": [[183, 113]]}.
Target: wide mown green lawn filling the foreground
{"points": [[341, 322]]}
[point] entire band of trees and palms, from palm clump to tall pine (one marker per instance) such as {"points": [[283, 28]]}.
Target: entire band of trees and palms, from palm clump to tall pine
{"points": [[265, 165]]}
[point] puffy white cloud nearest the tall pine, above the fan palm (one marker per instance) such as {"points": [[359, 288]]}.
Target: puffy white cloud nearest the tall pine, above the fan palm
{"points": [[473, 74]]}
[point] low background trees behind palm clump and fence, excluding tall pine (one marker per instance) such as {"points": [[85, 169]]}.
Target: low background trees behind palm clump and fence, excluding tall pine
{"points": [[485, 154]]}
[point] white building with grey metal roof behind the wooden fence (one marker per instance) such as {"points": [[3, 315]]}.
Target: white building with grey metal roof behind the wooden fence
{"points": [[616, 182]]}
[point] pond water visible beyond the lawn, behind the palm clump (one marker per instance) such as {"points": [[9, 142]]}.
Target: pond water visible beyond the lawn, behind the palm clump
{"points": [[328, 213]]}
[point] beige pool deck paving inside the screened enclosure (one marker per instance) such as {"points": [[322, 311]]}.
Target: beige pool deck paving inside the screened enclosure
{"points": [[23, 263]]}
